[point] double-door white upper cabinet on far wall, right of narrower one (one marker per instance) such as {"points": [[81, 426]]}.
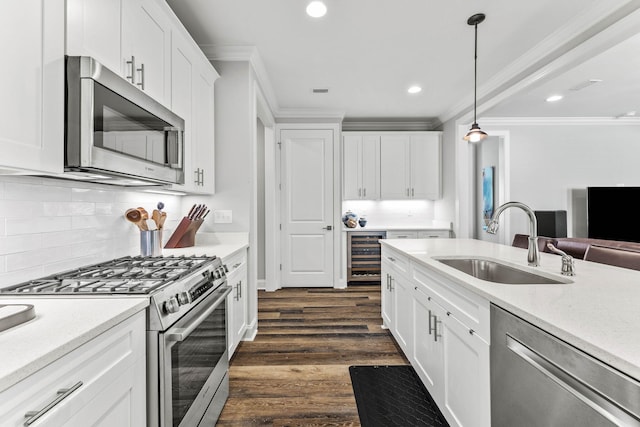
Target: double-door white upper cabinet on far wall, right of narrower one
{"points": [[410, 165]]}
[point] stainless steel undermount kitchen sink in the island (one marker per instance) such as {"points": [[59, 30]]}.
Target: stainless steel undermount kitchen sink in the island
{"points": [[497, 272]]}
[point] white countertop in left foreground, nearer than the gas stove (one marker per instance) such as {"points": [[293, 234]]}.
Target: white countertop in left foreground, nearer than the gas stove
{"points": [[60, 326]]}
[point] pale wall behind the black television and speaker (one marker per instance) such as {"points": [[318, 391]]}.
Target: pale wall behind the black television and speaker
{"points": [[549, 162]]}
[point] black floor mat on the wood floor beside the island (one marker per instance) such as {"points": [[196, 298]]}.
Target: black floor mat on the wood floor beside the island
{"points": [[389, 396]]}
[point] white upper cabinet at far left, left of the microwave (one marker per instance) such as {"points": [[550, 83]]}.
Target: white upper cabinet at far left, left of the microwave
{"points": [[32, 110]]}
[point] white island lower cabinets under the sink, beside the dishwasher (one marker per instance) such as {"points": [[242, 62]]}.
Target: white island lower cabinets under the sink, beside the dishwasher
{"points": [[444, 331]]}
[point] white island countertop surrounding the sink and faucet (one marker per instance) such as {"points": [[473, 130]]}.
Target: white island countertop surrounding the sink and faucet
{"points": [[599, 312]]}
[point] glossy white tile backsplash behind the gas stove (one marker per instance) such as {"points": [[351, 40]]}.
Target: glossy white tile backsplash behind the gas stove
{"points": [[50, 225]]}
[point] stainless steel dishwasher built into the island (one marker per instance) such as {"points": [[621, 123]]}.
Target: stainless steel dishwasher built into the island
{"points": [[539, 380]]}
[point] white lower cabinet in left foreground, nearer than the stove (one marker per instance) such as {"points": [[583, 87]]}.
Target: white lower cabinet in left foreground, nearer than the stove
{"points": [[101, 383]]}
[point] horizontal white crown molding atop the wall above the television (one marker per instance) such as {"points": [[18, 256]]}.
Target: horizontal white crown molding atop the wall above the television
{"points": [[560, 121]]}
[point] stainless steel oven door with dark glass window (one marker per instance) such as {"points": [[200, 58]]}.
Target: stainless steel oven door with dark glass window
{"points": [[194, 363]]}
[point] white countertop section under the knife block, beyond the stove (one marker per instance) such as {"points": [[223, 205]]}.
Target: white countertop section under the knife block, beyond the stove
{"points": [[222, 245]]}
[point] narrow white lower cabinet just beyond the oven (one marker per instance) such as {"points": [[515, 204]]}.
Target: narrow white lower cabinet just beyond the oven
{"points": [[237, 300]]}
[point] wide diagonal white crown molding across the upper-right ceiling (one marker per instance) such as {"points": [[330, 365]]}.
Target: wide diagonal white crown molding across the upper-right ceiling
{"points": [[592, 32]]}
